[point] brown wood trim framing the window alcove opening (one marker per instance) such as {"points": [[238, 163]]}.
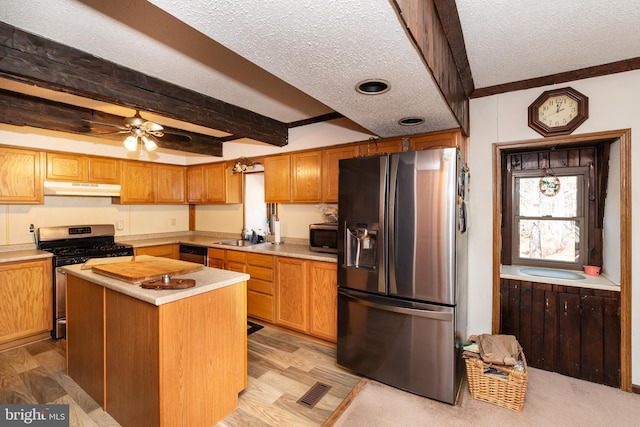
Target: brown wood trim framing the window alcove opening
{"points": [[624, 138]]}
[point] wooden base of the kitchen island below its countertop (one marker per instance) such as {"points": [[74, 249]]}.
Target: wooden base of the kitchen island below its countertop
{"points": [[178, 364]]}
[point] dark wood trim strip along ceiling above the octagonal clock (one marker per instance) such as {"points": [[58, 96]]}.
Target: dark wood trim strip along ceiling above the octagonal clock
{"points": [[568, 76]]}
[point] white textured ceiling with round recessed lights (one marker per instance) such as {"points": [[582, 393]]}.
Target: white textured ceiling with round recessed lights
{"points": [[296, 59]]}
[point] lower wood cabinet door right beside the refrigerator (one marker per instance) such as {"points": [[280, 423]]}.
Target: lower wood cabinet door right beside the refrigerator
{"points": [[323, 300]]}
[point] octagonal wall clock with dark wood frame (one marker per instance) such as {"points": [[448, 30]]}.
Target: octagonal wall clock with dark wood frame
{"points": [[558, 112]]}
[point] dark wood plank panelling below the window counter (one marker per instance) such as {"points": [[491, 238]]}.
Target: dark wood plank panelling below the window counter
{"points": [[570, 330]]}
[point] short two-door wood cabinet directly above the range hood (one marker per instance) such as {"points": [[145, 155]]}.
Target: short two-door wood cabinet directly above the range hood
{"points": [[81, 168]]}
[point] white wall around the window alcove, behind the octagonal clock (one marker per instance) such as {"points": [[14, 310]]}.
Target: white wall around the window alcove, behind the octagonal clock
{"points": [[503, 118]]}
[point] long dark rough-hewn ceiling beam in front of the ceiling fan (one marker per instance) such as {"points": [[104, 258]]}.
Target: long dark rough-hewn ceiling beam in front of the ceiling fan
{"points": [[38, 61]]}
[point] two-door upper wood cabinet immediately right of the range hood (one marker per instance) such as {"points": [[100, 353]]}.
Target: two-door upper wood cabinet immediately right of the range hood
{"points": [[144, 182]]}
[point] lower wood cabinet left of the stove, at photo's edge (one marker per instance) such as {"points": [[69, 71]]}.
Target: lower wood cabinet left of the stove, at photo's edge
{"points": [[25, 302]]}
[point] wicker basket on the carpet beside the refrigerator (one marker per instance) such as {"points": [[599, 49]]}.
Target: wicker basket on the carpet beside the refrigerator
{"points": [[506, 392]]}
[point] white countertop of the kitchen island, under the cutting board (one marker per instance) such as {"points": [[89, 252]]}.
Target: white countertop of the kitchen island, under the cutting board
{"points": [[207, 279]]}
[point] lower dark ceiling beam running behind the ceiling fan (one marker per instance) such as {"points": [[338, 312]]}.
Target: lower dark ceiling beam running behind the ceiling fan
{"points": [[24, 110]]}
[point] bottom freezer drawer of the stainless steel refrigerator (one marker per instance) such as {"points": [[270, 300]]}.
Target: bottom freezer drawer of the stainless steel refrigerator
{"points": [[404, 344]]}
